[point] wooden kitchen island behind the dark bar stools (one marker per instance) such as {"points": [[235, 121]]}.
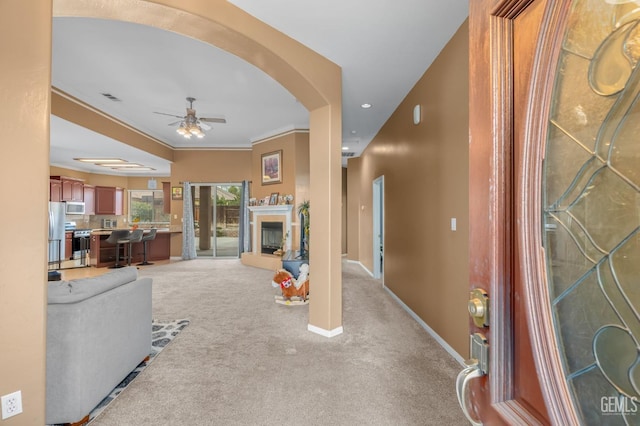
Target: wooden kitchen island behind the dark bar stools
{"points": [[103, 254]]}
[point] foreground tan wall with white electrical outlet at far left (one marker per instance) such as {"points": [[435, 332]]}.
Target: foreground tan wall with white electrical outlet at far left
{"points": [[25, 52]]}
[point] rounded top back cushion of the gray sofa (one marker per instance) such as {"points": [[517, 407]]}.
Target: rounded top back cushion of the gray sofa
{"points": [[80, 289]]}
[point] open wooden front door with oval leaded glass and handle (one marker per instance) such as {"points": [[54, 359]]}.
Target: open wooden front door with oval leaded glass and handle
{"points": [[554, 212]]}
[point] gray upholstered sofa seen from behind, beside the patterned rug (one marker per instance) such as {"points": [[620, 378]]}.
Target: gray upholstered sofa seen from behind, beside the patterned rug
{"points": [[98, 331]]}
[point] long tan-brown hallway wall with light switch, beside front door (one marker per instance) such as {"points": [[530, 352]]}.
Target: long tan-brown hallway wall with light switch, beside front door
{"points": [[425, 170]]}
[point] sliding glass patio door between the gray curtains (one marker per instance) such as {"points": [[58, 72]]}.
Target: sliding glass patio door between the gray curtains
{"points": [[216, 210]]}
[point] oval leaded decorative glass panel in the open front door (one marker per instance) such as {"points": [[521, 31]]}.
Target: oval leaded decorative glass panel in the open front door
{"points": [[591, 202]]}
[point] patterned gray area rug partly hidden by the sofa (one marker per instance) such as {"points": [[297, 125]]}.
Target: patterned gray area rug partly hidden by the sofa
{"points": [[162, 333]]}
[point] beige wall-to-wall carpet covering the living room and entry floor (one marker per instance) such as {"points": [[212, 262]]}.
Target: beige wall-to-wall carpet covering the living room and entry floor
{"points": [[245, 360]]}
